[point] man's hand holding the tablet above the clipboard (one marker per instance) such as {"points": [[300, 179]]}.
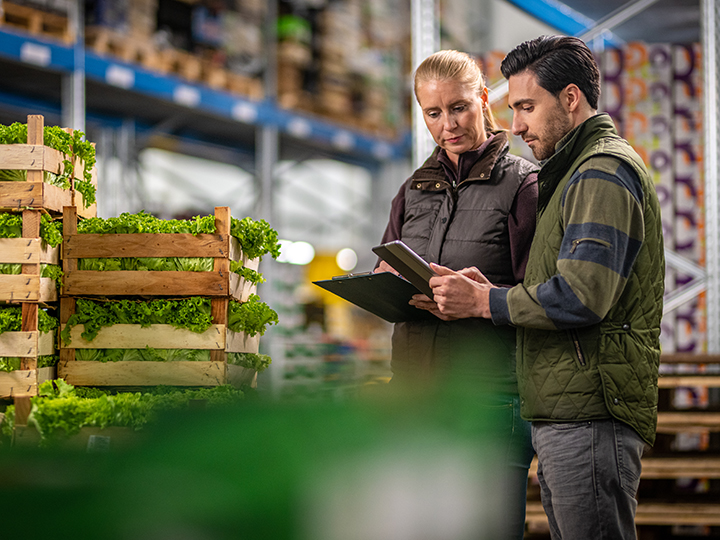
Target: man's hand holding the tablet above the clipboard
{"points": [[457, 295]]}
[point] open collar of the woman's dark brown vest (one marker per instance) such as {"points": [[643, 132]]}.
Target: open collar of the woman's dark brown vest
{"points": [[431, 175]]}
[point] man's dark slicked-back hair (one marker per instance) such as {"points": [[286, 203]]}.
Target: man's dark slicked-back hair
{"points": [[556, 62]]}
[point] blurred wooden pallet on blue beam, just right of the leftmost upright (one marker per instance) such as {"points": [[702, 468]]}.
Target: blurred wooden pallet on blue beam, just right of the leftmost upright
{"points": [[134, 50]]}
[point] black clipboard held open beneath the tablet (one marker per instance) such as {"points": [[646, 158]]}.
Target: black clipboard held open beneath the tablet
{"points": [[384, 294]]}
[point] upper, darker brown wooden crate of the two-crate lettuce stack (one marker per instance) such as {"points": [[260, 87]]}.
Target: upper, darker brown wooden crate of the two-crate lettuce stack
{"points": [[218, 283]]}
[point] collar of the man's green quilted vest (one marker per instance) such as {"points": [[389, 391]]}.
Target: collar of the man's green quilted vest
{"points": [[568, 150]]}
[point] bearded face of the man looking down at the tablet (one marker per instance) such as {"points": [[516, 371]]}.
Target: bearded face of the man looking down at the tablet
{"points": [[538, 116]]}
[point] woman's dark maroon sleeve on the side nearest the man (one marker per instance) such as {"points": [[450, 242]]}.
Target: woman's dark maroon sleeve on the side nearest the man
{"points": [[521, 224]]}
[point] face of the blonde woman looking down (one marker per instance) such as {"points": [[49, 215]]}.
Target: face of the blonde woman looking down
{"points": [[453, 113]]}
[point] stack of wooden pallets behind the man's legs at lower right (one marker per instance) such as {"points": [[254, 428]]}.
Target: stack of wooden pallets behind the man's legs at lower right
{"points": [[679, 488]]}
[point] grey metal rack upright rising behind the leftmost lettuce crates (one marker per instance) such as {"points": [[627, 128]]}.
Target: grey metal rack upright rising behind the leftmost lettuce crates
{"points": [[73, 84]]}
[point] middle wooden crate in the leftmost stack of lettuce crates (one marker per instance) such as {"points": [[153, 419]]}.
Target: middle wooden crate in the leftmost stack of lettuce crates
{"points": [[31, 252]]}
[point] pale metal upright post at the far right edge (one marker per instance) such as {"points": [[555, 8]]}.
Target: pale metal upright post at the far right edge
{"points": [[710, 22]]}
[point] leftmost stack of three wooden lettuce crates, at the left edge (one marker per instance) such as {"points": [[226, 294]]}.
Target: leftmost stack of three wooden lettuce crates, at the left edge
{"points": [[31, 292]]}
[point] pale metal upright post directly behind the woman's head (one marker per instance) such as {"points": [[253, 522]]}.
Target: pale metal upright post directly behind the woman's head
{"points": [[425, 41]]}
